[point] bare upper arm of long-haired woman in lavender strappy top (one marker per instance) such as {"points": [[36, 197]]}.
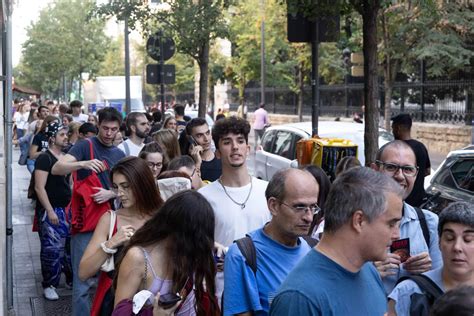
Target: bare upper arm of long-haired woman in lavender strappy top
{"points": [[130, 275]]}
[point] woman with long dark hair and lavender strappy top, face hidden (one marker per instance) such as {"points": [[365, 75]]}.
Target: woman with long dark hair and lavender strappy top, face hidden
{"points": [[172, 253]]}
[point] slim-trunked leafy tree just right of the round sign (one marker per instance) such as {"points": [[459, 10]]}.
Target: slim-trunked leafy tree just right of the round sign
{"points": [[192, 24]]}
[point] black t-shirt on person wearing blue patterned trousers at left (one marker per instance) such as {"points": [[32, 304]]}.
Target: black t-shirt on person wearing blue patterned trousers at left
{"points": [[57, 187]]}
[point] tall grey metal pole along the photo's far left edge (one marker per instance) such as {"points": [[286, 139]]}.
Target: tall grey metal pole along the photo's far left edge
{"points": [[8, 162]]}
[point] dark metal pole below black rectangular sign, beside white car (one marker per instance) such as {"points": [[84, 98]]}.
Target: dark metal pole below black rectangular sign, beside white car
{"points": [[315, 79]]}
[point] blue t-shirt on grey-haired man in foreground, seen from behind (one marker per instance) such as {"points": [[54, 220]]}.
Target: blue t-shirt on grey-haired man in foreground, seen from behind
{"points": [[320, 286]]}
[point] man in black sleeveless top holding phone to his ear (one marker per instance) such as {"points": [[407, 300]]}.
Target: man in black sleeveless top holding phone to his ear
{"points": [[200, 148]]}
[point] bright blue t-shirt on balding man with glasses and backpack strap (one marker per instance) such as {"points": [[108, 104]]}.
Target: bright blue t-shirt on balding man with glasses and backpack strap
{"points": [[243, 291]]}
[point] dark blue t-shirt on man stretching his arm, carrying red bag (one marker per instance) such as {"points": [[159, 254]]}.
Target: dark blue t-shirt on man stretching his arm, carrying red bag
{"points": [[109, 154]]}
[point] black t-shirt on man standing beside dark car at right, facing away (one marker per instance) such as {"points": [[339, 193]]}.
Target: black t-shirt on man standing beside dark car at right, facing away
{"points": [[423, 162]]}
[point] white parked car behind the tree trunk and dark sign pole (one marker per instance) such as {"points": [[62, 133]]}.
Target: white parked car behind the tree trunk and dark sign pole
{"points": [[278, 146]]}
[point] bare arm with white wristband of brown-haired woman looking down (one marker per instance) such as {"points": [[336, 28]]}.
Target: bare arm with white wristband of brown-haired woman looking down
{"points": [[94, 256]]}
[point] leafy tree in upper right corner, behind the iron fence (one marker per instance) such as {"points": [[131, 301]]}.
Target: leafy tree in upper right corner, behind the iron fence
{"points": [[423, 30]]}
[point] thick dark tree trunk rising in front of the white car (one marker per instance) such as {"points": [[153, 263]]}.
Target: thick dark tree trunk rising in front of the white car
{"points": [[369, 13]]}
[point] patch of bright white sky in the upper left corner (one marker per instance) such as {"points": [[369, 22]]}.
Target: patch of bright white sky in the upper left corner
{"points": [[24, 12]]}
